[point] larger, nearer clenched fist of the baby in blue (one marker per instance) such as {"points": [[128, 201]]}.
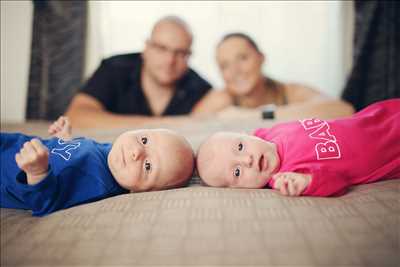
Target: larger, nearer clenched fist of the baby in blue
{"points": [[33, 159]]}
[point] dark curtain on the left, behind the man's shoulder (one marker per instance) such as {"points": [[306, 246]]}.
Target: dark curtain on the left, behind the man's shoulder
{"points": [[57, 57]]}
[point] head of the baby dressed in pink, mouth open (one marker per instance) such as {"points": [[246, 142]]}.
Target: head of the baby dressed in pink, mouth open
{"points": [[228, 159]]}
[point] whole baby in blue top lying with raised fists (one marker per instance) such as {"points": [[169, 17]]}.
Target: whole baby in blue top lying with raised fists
{"points": [[45, 175]]}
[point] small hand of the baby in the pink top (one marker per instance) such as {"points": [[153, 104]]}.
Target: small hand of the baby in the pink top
{"points": [[291, 183]]}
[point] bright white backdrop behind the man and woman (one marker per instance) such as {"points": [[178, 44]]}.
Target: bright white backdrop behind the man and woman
{"points": [[303, 41]]}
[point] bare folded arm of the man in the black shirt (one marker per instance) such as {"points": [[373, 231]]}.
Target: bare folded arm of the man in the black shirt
{"points": [[86, 111]]}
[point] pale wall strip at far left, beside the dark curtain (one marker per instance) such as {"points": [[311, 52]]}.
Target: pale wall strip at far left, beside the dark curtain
{"points": [[16, 28]]}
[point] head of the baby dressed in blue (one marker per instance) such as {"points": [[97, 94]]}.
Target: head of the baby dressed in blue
{"points": [[152, 159]]}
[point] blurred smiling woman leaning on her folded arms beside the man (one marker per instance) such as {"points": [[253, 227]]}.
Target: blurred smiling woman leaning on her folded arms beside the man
{"points": [[247, 90]]}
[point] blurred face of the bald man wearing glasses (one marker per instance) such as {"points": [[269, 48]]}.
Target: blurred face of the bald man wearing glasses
{"points": [[166, 53]]}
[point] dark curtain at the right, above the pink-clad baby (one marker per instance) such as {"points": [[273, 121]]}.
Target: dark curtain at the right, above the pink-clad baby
{"points": [[376, 56]]}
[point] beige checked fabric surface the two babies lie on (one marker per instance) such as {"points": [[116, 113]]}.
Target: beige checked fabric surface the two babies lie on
{"points": [[203, 226]]}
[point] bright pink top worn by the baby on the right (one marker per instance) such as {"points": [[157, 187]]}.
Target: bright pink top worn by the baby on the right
{"points": [[339, 153]]}
